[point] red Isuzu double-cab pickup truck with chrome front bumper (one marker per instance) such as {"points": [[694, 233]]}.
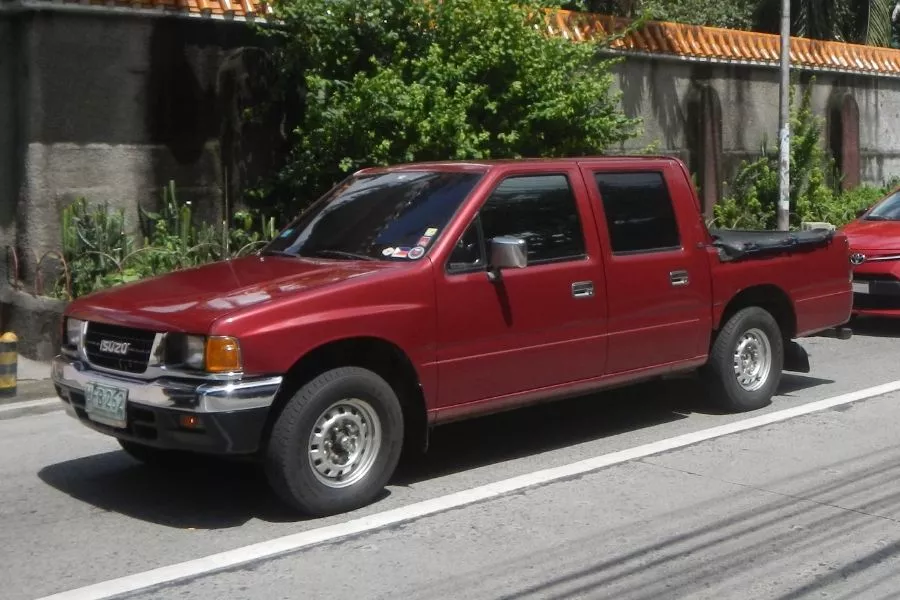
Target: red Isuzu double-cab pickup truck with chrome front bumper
{"points": [[410, 296]]}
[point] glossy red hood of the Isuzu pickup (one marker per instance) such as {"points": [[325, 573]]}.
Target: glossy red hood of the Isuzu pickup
{"points": [[193, 299]]}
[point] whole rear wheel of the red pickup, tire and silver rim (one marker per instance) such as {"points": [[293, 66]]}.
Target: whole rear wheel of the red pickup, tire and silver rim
{"points": [[746, 361]]}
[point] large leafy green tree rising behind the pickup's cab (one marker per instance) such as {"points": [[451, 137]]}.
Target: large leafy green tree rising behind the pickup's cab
{"points": [[386, 81]]}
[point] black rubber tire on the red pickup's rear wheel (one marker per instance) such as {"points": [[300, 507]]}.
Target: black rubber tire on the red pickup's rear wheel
{"points": [[722, 384]]}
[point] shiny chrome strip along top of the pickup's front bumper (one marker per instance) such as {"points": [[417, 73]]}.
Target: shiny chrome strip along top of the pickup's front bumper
{"points": [[188, 395]]}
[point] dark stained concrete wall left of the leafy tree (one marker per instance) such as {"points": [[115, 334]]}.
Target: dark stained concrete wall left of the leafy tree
{"points": [[110, 108]]}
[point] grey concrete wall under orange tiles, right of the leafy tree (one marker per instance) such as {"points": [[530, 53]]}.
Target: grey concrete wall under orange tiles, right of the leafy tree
{"points": [[657, 90]]}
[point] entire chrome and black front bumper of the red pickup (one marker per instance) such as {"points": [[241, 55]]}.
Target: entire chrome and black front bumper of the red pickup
{"points": [[230, 416]]}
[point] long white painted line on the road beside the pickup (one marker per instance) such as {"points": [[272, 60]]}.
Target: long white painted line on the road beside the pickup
{"points": [[291, 543]]}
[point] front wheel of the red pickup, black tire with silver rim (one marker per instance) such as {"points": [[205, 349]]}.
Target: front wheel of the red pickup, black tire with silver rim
{"points": [[289, 452]]}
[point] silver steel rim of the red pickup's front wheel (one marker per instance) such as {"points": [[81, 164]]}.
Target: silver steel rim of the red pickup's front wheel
{"points": [[344, 443]]}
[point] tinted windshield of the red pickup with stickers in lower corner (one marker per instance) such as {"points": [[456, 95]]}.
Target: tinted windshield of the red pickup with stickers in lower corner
{"points": [[387, 216]]}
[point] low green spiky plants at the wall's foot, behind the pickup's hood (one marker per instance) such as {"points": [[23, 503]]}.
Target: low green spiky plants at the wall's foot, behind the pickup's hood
{"points": [[100, 253]]}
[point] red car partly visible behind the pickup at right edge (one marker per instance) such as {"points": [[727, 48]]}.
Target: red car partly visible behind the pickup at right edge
{"points": [[875, 256]]}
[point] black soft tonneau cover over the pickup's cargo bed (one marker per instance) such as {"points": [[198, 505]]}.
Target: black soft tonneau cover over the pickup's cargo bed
{"points": [[734, 244]]}
